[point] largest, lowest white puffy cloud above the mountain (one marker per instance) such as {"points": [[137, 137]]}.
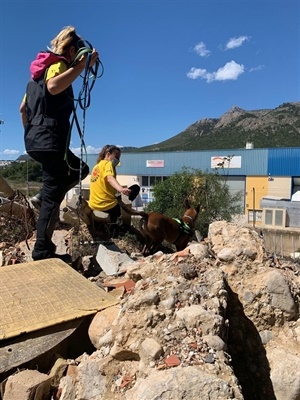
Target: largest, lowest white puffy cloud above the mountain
{"points": [[230, 71]]}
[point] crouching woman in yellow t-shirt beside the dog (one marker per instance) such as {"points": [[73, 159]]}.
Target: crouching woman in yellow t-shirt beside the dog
{"points": [[104, 185]]}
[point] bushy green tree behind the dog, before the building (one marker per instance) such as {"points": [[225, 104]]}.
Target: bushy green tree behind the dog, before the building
{"points": [[207, 189]]}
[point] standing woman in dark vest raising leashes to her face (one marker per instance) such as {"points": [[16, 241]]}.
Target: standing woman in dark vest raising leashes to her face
{"points": [[45, 113]]}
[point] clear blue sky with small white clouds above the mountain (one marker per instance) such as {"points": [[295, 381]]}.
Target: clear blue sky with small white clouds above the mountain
{"points": [[167, 64]]}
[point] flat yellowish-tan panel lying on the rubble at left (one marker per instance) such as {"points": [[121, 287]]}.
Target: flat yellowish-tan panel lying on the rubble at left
{"points": [[39, 294]]}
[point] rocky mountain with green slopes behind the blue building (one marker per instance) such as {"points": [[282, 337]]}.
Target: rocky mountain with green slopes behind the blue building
{"points": [[279, 127]]}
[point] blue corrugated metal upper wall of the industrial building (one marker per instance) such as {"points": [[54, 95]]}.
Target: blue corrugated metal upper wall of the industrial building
{"points": [[255, 162]]}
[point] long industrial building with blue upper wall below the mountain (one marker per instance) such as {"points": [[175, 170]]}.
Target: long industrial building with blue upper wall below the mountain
{"points": [[268, 179]]}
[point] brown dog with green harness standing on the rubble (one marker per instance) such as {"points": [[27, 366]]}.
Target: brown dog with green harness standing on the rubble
{"points": [[156, 227]]}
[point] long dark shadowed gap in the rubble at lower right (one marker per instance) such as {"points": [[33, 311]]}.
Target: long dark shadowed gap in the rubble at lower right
{"points": [[249, 360]]}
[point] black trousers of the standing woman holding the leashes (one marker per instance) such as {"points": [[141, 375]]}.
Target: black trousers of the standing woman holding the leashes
{"points": [[59, 176]]}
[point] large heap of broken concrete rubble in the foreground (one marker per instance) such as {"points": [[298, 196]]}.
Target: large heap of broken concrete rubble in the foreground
{"points": [[219, 320]]}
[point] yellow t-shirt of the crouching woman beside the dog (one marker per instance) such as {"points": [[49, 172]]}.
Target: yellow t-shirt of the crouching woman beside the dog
{"points": [[102, 194]]}
